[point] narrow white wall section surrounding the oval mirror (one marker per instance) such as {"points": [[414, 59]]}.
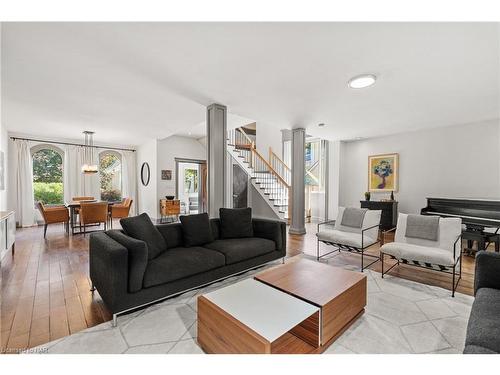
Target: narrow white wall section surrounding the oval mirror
{"points": [[146, 195]]}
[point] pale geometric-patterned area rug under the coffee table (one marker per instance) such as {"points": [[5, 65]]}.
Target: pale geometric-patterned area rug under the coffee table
{"points": [[401, 316]]}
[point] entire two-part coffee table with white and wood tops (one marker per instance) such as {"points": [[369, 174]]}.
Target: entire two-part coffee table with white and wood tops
{"points": [[298, 307]]}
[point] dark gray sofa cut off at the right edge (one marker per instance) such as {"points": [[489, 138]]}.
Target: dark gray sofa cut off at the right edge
{"points": [[483, 330]]}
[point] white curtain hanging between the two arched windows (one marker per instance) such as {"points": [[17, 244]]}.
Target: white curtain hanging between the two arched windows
{"points": [[75, 182]]}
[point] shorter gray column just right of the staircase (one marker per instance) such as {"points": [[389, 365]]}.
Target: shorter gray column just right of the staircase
{"points": [[297, 225]]}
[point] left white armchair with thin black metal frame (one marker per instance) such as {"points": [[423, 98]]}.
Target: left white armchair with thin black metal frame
{"points": [[351, 238]]}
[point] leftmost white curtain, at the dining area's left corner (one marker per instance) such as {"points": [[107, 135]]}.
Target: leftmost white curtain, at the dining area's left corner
{"points": [[25, 201]]}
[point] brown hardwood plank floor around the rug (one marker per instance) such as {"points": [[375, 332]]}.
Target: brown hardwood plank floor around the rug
{"points": [[45, 287]]}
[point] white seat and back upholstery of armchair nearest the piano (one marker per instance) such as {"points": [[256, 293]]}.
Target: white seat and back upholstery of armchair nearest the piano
{"points": [[449, 230]]}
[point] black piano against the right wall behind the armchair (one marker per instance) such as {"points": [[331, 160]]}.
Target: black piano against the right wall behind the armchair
{"points": [[481, 218]]}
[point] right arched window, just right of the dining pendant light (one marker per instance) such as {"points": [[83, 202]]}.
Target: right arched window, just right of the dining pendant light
{"points": [[110, 171]]}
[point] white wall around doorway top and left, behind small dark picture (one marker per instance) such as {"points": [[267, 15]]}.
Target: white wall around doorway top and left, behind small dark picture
{"points": [[176, 147]]}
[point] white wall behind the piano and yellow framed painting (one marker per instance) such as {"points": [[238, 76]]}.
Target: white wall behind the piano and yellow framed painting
{"points": [[456, 161]]}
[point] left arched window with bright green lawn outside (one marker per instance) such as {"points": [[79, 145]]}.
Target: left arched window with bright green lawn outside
{"points": [[48, 174]]}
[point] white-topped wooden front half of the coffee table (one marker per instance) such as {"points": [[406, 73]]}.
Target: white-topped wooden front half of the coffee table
{"points": [[252, 317]]}
